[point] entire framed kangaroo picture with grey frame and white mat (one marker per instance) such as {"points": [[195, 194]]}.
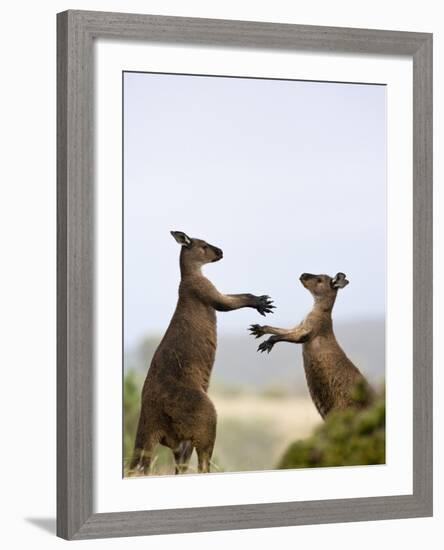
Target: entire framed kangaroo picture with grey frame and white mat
{"points": [[244, 275]]}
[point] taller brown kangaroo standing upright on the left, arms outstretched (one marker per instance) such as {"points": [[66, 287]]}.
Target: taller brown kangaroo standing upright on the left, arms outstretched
{"points": [[176, 410]]}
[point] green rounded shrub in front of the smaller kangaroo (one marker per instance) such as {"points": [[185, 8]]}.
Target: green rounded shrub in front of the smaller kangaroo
{"points": [[347, 438]]}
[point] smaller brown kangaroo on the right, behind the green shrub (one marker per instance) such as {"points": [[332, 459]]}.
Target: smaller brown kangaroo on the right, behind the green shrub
{"points": [[331, 376]]}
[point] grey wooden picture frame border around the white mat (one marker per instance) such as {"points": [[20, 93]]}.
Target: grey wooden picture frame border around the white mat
{"points": [[76, 32]]}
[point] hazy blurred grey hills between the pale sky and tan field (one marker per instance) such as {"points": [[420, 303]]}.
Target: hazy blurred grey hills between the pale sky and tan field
{"points": [[239, 367]]}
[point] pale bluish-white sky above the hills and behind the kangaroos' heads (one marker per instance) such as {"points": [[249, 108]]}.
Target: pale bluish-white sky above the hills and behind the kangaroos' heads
{"points": [[284, 176]]}
